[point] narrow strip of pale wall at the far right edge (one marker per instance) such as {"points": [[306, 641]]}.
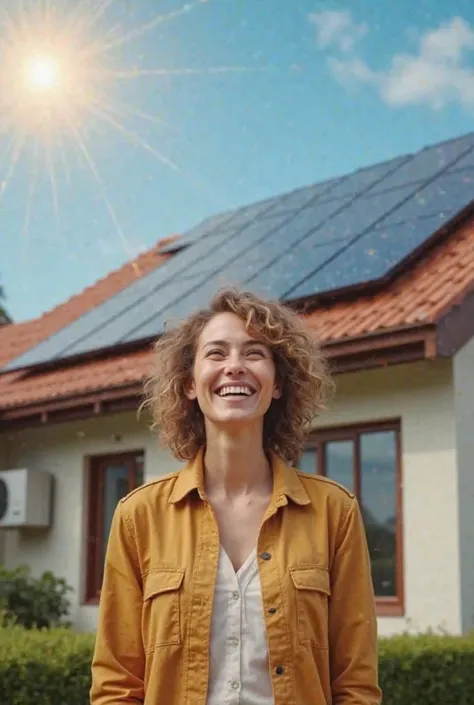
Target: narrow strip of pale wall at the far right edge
{"points": [[463, 373]]}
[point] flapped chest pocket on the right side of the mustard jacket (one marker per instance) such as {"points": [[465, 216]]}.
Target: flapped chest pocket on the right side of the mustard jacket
{"points": [[313, 590]]}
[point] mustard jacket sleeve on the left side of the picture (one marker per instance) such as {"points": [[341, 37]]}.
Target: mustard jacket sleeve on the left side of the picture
{"points": [[118, 664]]}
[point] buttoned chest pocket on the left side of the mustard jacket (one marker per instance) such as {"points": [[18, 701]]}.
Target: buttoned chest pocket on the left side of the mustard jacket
{"points": [[161, 614]]}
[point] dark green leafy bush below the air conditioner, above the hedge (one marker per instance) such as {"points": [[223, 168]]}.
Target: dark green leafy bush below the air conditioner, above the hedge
{"points": [[34, 603]]}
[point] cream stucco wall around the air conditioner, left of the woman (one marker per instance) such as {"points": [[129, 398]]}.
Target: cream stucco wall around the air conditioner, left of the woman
{"points": [[61, 450]]}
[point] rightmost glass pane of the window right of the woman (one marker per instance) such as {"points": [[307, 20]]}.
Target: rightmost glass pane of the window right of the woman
{"points": [[379, 507]]}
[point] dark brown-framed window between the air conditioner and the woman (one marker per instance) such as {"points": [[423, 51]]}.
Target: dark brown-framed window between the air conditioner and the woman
{"points": [[111, 477]]}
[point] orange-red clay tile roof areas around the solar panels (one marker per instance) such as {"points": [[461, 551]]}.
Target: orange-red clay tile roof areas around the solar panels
{"points": [[420, 296]]}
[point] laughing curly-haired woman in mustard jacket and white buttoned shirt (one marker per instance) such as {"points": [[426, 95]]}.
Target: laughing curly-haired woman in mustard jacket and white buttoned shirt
{"points": [[237, 579]]}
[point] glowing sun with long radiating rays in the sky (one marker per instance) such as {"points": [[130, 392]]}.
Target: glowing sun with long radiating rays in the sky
{"points": [[62, 70]]}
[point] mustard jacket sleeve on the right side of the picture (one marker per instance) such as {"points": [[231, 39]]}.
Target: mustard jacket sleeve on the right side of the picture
{"points": [[352, 619]]}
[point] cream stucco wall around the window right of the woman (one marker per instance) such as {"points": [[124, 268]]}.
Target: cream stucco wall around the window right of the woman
{"points": [[421, 396]]}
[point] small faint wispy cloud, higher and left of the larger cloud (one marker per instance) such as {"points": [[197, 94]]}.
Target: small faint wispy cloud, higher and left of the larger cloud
{"points": [[337, 29]]}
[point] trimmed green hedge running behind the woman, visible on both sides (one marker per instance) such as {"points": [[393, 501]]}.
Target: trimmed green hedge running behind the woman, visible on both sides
{"points": [[53, 668]]}
